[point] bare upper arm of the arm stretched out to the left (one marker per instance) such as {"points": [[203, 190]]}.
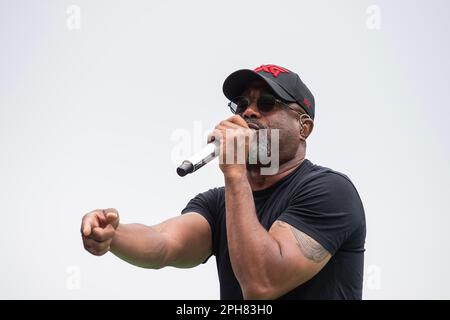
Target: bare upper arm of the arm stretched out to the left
{"points": [[189, 240]]}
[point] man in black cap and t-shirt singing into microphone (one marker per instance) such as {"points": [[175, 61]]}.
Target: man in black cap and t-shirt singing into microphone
{"points": [[295, 234]]}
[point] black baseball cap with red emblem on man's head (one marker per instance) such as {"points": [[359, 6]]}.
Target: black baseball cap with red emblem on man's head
{"points": [[286, 84]]}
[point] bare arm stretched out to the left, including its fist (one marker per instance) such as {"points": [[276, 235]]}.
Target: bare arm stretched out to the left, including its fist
{"points": [[183, 241]]}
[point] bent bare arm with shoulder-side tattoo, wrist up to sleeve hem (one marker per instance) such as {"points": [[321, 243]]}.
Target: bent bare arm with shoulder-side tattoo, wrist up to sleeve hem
{"points": [[267, 264]]}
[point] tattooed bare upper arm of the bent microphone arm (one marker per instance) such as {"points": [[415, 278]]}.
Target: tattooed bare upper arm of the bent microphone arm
{"points": [[302, 257]]}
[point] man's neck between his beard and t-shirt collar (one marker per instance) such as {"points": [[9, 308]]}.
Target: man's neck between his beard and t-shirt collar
{"points": [[260, 182]]}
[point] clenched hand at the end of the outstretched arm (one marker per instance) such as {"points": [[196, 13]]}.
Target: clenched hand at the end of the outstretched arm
{"points": [[97, 230]]}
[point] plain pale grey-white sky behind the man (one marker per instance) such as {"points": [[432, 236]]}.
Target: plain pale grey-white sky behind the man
{"points": [[88, 119]]}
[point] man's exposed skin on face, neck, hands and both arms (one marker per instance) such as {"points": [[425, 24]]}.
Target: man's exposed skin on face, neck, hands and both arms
{"points": [[267, 264]]}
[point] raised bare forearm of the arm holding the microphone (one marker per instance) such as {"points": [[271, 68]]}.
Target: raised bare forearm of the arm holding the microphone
{"points": [[252, 249]]}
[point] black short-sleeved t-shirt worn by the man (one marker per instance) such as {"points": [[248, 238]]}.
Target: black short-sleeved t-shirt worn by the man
{"points": [[316, 200]]}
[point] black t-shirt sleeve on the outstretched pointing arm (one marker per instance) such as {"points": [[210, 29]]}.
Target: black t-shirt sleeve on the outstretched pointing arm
{"points": [[205, 204]]}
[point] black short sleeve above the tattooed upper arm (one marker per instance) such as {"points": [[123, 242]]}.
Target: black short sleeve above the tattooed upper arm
{"points": [[327, 208]]}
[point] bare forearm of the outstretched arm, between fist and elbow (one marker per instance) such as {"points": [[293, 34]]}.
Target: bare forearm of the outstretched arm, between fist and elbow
{"points": [[140, 245]]}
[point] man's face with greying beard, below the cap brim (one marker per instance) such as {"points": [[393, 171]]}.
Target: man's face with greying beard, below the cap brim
{"points": [[280, 117]]}
